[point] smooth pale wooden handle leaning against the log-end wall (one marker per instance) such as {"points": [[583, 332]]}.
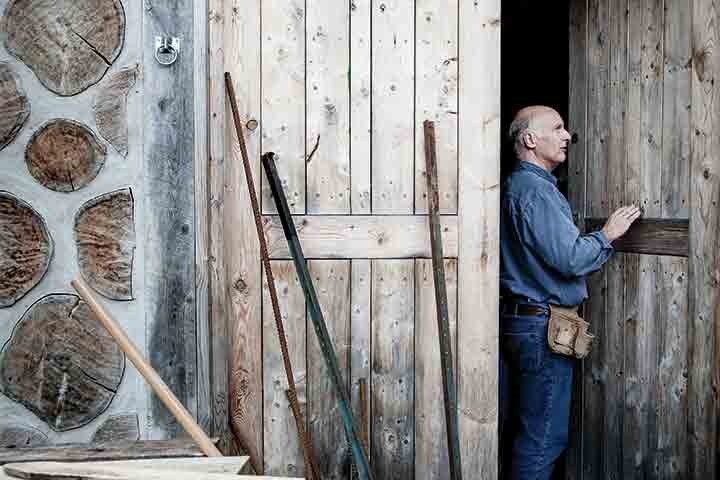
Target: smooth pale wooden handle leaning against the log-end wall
{"points": [[149, 373]]}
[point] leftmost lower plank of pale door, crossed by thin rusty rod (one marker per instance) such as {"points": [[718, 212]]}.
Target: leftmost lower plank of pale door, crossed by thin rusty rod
{"points": [[283, 453]]}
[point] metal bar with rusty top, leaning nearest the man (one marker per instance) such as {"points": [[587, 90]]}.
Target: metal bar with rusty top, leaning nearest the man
{"points": [[441, 302]]}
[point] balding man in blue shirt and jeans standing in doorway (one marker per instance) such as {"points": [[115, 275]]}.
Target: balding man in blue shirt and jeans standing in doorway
{"points": [[543, 261]]}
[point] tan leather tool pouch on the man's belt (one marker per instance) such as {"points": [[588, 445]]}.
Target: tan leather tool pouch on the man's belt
{"points": [[568, 333]]}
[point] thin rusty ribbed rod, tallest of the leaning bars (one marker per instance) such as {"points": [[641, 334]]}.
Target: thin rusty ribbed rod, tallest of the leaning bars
{"points": [[311, 468]]}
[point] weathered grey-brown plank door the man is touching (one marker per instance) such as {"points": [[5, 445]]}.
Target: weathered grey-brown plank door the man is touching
{"points": [[642, 103]]}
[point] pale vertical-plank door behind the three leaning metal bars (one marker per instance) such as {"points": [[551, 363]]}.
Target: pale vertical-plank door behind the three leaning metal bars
{"points": [[344, 88]]}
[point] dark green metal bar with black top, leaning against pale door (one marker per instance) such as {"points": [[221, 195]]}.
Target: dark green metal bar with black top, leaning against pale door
{"points": [[311, 299]]}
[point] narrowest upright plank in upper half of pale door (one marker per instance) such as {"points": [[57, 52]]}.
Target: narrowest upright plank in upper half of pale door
{"points": [[360, 104]]}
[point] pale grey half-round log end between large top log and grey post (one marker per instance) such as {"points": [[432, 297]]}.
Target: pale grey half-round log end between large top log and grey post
{"points": [[110, 107]]}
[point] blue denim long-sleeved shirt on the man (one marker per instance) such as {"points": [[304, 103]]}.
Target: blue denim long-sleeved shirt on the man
{"points": [[543, 256]]}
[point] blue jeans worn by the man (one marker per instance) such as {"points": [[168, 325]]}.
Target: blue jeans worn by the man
{"points": [[535, 390]]}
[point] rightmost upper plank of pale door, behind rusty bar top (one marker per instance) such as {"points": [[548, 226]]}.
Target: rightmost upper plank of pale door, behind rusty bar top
{"points": [[436, 67]]}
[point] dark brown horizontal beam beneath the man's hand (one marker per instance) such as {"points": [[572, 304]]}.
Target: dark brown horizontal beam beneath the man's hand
{"points": [[653, 236]]}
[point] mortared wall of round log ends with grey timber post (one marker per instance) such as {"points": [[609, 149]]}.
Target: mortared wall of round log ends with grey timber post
{"points": [[115, 186]]}
